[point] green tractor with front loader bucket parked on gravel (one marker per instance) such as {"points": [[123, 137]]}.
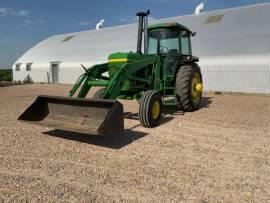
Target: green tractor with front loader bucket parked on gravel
{"points": [[164, 75]]}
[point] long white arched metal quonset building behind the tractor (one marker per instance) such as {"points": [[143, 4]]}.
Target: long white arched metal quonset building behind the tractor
{"points": [[233, 46]]}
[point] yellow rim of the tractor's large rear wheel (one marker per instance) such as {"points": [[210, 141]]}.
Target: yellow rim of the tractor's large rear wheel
{"points": [[196, 87]]}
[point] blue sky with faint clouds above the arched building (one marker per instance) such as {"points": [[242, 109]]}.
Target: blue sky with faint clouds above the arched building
{"points": [[23, 23]]}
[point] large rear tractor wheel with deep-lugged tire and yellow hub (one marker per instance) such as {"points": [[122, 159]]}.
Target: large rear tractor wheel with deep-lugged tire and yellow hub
{"points": [[189, 87]]}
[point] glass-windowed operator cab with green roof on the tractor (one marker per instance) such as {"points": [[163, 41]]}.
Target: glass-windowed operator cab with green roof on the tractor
{"points": [[171, 41]]}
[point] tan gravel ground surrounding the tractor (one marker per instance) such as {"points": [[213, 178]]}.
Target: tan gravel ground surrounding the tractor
{"points": [[219, 153]]}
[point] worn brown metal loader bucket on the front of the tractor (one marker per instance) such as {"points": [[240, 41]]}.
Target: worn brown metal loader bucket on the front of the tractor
{"points": [[90, 116]]}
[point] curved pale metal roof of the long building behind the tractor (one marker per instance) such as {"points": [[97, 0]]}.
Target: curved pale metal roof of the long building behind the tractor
{"points": [[242, 30]]}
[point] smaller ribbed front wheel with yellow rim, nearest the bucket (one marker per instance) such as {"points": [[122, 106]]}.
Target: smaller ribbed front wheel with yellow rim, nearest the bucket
{"points": [[150, 109]]}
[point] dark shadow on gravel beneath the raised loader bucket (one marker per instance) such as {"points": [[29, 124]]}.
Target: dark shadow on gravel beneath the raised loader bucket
{"points": [[113, 142]]}
